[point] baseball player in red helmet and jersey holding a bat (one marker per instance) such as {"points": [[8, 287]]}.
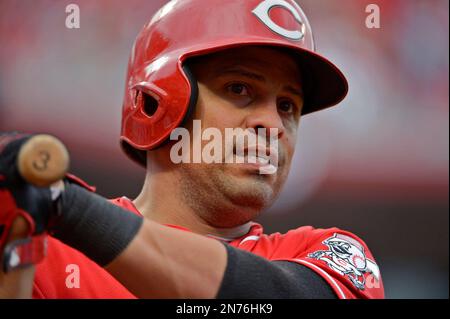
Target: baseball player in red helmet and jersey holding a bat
{"points": [[190, 233]]}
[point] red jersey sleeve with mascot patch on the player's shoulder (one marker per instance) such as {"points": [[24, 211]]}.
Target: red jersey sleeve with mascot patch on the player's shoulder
{"points": [[338, 256]]}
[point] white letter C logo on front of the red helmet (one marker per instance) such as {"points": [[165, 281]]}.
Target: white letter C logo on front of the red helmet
{"points": [[262, 12]]}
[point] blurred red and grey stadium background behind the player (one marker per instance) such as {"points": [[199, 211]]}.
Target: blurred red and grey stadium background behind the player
{"points": [[377, 165]]}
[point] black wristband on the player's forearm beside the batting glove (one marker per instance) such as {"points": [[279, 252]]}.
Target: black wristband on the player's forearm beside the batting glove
{"points": [[93, 225]]}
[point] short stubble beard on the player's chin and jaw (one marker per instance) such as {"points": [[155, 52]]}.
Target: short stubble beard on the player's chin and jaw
{"points": [[223, 199]]}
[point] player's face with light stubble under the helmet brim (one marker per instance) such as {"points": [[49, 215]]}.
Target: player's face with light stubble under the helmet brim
{"points": [[247, 88]]}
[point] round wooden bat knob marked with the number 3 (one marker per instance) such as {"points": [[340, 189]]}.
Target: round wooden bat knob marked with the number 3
{"points": [[43, 160]]}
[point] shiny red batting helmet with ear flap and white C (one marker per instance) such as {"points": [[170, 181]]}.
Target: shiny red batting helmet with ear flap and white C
{"points": [[160, 90]]}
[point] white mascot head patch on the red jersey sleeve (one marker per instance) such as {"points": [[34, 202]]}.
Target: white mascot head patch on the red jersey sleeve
{"points": [[346, 256]]}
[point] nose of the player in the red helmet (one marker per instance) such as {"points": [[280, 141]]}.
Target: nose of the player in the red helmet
{"points": [[266, 117]]}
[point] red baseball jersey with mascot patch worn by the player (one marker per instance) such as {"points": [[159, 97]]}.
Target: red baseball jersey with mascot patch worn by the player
{"points": [[339, 257]]}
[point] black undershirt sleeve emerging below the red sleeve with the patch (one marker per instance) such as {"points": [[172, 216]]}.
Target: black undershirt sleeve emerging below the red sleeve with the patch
{"points": [[248, 276]]}
